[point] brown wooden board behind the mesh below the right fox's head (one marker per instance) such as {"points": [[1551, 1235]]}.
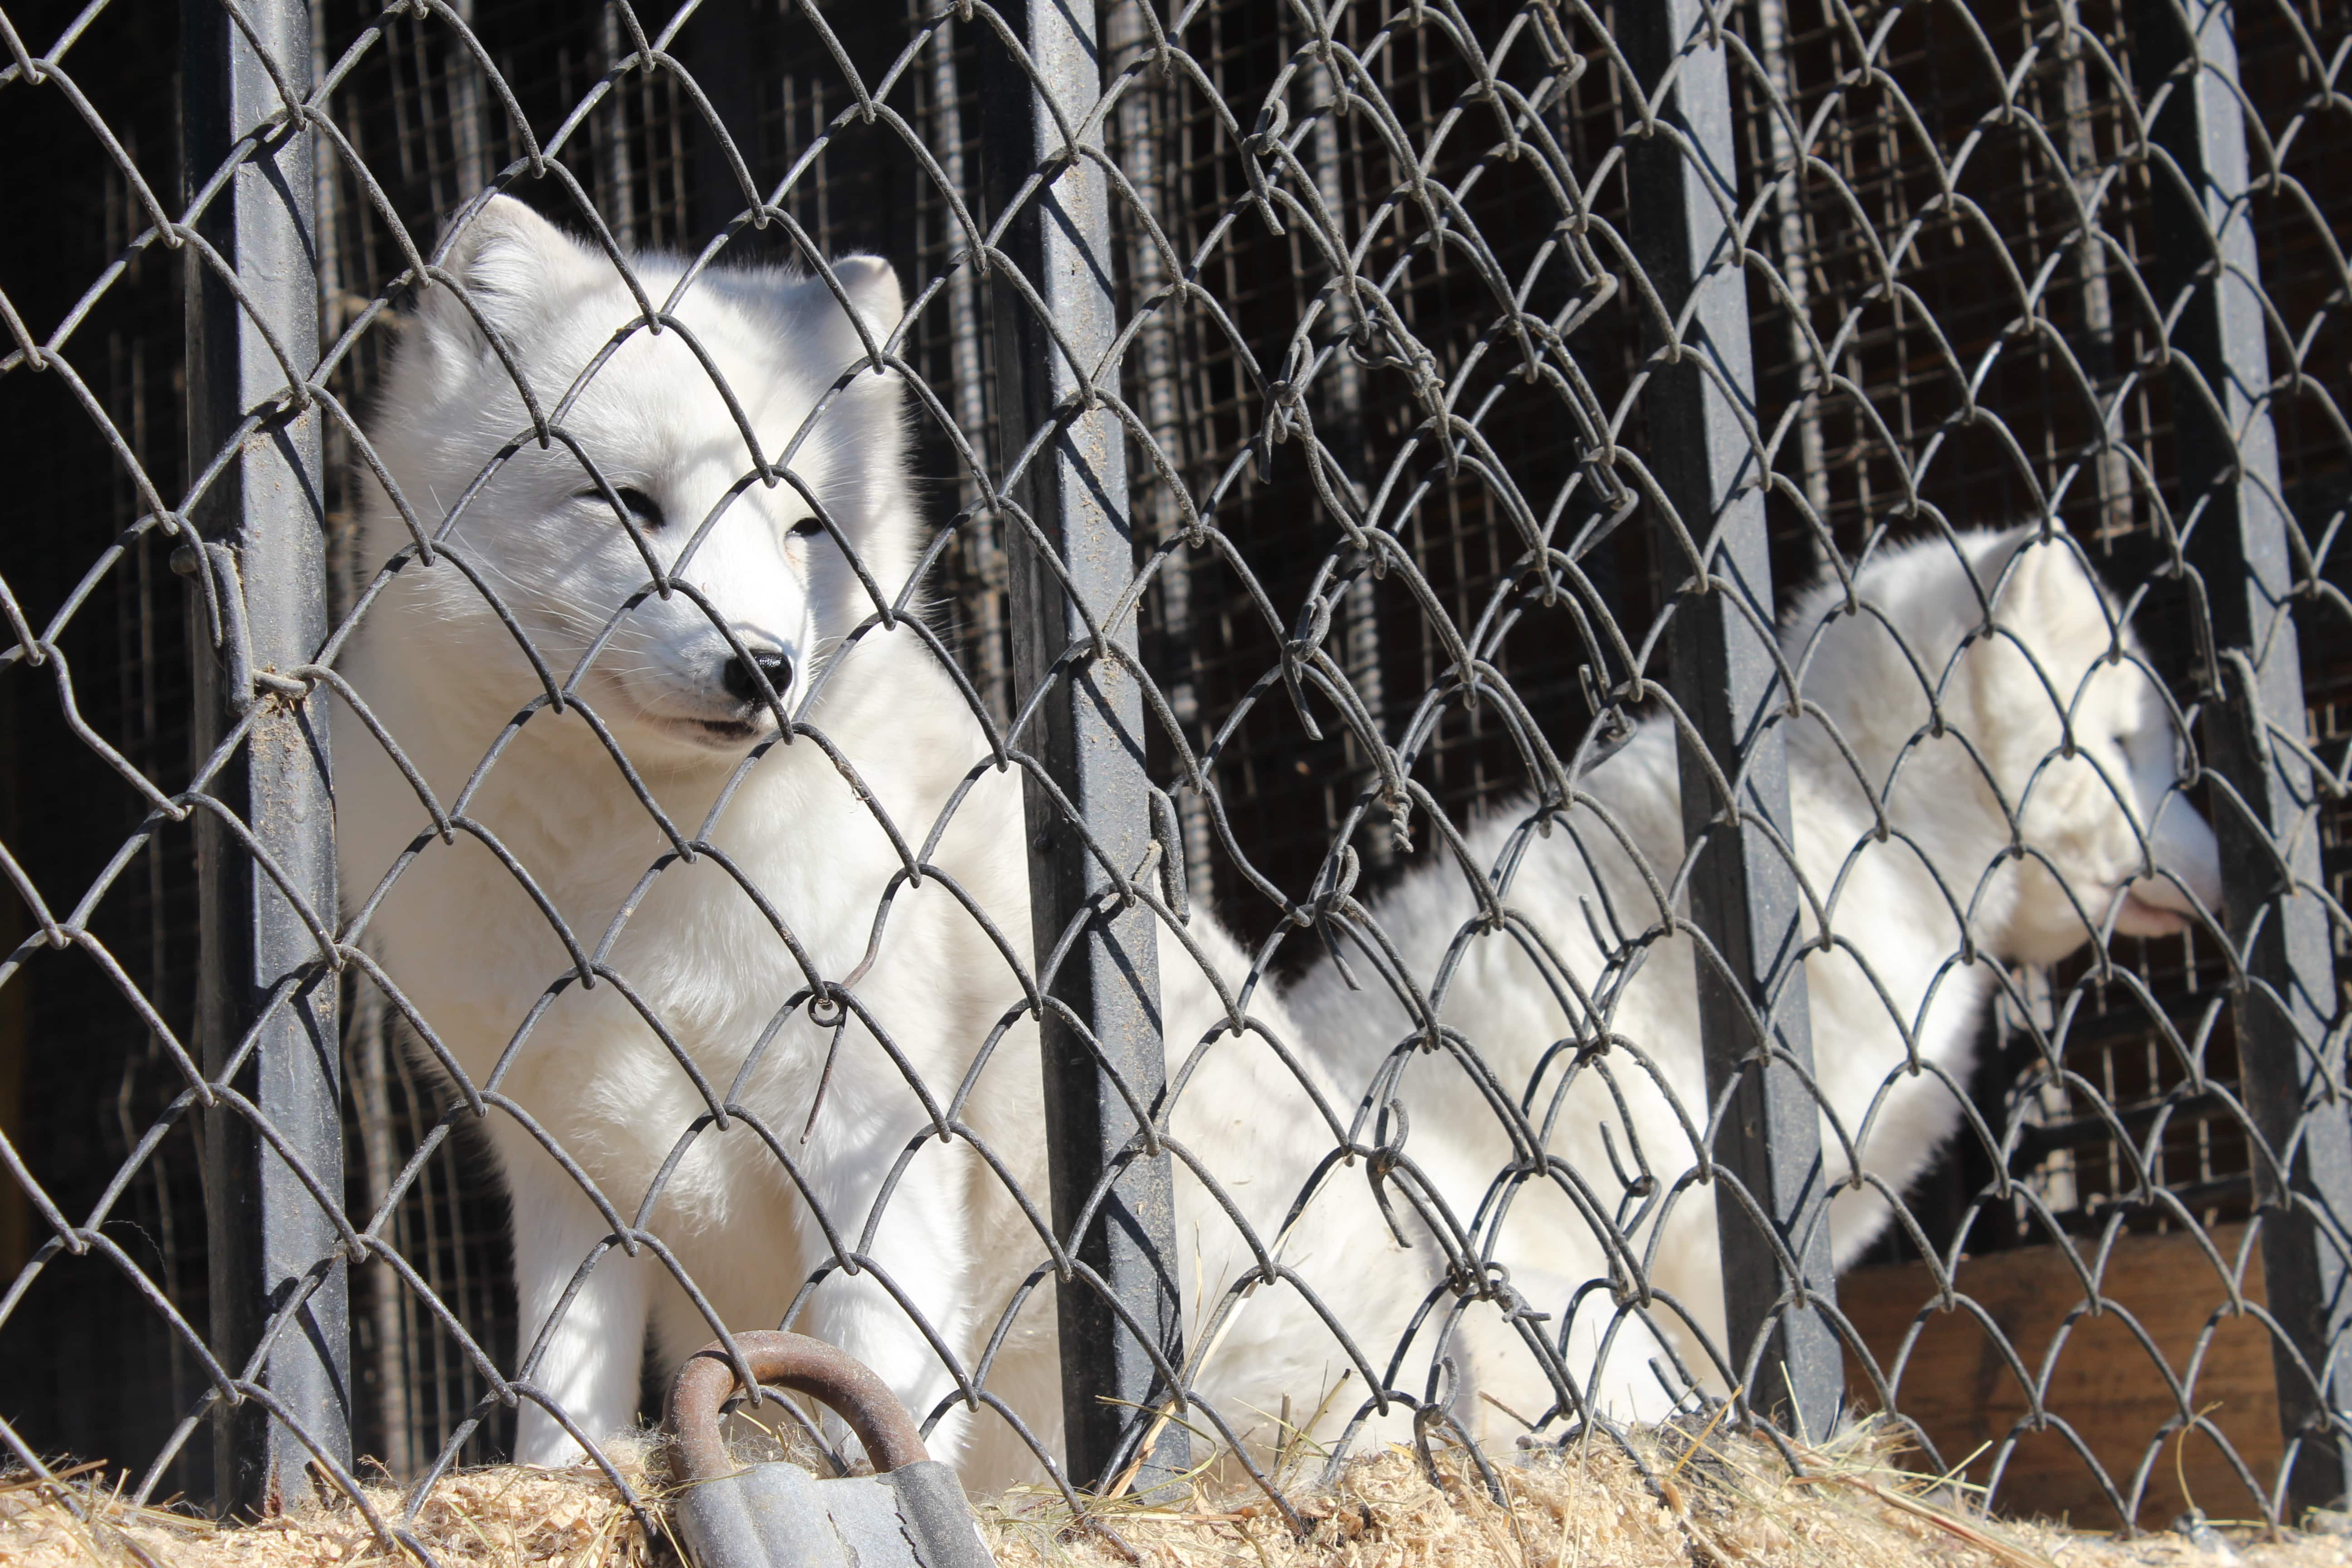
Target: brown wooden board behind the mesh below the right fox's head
{"points": [[2104, 1381]]}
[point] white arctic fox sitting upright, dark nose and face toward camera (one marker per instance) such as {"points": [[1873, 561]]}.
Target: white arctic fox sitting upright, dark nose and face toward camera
{"points": [[570, 953]]}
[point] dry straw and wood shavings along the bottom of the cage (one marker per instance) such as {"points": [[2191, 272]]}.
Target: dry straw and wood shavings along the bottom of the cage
{"points": [[1730, 1503]]}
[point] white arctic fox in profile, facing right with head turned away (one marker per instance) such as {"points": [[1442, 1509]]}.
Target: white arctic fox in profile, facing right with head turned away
{"points": [[2102, 840]]}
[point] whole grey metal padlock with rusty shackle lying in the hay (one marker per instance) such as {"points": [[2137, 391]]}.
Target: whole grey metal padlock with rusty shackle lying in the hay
{"points": [[909, 1515]]}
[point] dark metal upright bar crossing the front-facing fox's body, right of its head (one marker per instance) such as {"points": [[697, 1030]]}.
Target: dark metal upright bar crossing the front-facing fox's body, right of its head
{"points": [[1090, 739]]}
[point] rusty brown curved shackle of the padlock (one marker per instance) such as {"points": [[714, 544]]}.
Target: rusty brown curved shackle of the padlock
{"points": [[789, 1362]]}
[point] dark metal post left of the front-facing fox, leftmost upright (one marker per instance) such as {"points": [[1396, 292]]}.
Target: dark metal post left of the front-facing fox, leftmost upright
{"points": [[267, 1005]]}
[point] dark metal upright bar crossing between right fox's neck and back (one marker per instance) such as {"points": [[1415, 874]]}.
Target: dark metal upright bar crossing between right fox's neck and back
{"points": [[1723, 674]]}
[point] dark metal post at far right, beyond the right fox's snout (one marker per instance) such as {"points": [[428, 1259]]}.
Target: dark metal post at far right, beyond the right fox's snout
{"points": [[2243, 549]]}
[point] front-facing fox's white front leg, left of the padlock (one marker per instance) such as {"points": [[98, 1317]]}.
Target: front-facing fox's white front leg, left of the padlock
{"points": [[592, 1358]]}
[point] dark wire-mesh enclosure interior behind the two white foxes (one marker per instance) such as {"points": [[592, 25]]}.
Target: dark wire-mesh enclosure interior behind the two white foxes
{"points": [[1989, 363]]}
